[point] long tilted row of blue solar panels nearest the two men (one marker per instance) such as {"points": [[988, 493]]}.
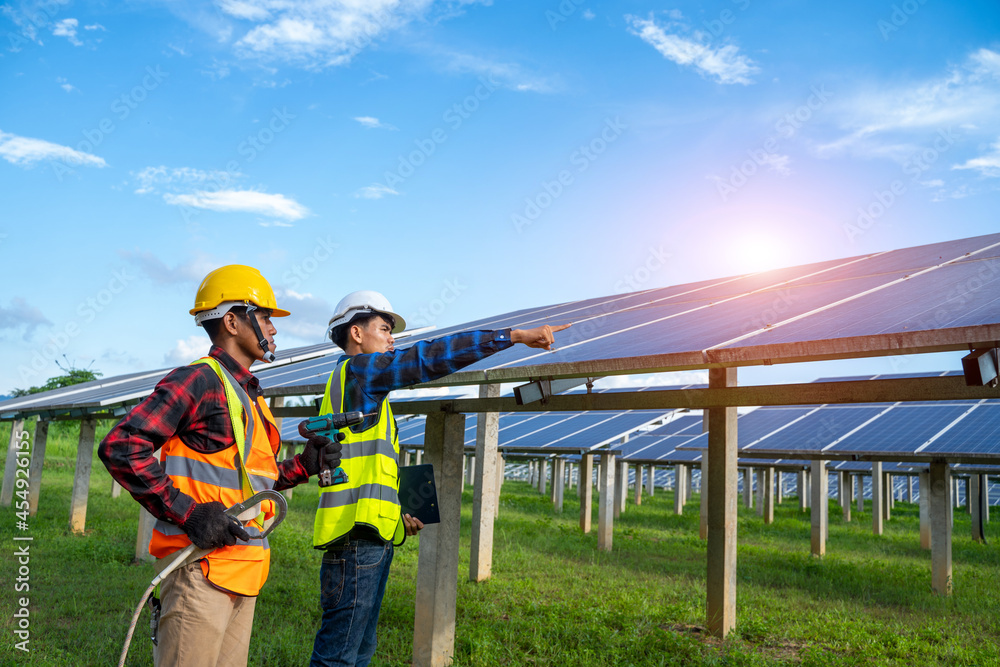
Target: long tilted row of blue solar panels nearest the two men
{"points": [[870, 304]]}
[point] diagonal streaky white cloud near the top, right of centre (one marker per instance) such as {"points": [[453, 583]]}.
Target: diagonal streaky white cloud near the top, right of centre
{"points": [[724, 64]]}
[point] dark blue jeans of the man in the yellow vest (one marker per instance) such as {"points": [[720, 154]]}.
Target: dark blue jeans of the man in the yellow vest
{"points": [[352, 580]]}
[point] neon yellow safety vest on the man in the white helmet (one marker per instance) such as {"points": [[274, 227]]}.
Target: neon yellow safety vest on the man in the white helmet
{"points": [[370, 496]]}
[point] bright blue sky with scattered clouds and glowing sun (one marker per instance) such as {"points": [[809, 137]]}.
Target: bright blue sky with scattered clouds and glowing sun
{"points": [[467, 158]]}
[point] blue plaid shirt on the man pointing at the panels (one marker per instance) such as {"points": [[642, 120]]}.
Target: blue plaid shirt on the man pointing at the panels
{"points": [[370, 377]]}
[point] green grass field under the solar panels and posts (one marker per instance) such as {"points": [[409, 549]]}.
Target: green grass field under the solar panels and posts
{"points": [[554, 599]]}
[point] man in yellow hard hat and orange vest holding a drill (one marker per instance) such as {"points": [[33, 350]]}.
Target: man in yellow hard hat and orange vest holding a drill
{"points": [[218, 445]]}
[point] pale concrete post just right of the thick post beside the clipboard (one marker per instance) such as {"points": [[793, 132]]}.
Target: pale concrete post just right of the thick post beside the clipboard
{"points": [[486, 488]]}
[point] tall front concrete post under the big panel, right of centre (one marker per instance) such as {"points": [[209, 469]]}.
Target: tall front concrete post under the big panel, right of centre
{"points": [[721, 489]]}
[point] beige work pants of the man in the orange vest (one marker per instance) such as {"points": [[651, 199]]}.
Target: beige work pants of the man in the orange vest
{"points": [[201, 626]]}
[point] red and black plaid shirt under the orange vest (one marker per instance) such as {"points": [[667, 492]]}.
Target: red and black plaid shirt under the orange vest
{"points": [[190, 403]]}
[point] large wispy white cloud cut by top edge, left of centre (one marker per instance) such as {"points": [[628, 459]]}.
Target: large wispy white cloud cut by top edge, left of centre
{"points": [[317, 33]]}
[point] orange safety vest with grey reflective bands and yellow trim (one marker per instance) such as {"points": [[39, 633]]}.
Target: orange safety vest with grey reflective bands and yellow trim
{"points": [[222, 476]]}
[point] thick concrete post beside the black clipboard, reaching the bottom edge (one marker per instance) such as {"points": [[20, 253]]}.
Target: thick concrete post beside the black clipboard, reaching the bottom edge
{"points": [[437, 560]]}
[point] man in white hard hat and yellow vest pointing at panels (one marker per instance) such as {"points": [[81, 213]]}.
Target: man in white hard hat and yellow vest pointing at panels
{"points": [[358, 522]]}
